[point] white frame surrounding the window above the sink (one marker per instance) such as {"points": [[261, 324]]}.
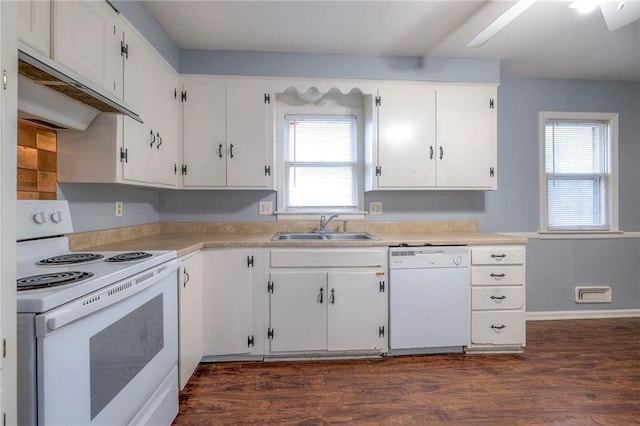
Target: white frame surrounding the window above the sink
{"points": [[319, 110]]}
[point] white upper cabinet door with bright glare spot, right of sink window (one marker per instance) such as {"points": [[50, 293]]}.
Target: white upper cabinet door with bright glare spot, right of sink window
{"points": [[406, 137]]}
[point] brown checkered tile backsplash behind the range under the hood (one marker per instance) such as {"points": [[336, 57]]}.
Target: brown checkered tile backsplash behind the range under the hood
{"points": [[37, 162]]}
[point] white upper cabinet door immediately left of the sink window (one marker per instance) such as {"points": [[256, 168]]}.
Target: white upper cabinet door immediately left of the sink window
{"points": [[248, 136]]}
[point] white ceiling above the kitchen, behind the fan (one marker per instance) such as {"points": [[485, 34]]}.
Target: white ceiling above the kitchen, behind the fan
{"points": [[549, 40]]}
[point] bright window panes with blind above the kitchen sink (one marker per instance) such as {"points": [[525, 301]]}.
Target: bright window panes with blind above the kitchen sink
{"points": [[320, 163]]}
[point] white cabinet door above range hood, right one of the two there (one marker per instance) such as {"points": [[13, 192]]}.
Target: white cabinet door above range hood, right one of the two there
{"points": [[87, 39]]}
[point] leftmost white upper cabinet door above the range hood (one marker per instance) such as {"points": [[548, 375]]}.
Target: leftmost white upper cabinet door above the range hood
{"points": [[34, 25]]}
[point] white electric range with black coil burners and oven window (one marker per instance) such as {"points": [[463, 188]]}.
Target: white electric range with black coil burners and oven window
{"points": [[97, 331]]}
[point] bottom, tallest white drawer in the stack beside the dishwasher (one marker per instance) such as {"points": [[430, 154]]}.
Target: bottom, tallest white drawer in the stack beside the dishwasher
{"points": [[497, 328]]}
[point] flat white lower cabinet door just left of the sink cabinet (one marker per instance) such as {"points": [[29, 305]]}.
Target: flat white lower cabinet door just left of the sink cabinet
{"points": [[227, 301]]}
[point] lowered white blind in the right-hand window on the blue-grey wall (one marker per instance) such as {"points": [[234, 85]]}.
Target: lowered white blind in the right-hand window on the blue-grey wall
{"points": [[577, 168]]}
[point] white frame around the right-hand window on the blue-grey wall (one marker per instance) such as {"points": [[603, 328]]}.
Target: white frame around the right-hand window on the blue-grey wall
{"points": [[613, 210]]}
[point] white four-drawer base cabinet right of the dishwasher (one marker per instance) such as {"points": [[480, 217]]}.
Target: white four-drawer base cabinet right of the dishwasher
{"points": [[497, 299]]}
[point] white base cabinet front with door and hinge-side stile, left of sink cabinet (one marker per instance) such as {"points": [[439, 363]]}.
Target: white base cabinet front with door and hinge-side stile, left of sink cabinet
{"points": [[233, 311]]}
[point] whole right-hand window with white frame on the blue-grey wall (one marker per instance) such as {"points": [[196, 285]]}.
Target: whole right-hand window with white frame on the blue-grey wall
{"points": [[579, 188]]}
